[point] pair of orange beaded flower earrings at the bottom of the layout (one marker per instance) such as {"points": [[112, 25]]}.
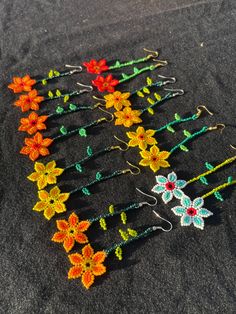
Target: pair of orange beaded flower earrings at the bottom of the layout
{"points": [[87, 264]]}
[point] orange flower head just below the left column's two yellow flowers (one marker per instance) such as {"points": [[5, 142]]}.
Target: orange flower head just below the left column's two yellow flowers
{"points": [[71, 232]]}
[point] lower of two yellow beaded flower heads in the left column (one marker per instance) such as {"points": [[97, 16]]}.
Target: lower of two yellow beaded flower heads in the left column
{"points": [[52, 202]]}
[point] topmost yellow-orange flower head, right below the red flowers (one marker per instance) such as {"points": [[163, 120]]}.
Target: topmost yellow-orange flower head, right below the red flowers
{"points": [[117, 100]]}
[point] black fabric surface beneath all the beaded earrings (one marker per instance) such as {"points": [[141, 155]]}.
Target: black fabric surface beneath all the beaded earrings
{"points": [[184, 271]]}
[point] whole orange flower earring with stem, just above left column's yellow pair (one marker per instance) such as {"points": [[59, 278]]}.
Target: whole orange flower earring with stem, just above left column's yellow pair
{"points": [[38, 145]]}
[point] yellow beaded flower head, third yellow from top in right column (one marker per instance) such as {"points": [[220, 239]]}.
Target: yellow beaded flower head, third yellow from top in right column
{"points": [[141, 138]]}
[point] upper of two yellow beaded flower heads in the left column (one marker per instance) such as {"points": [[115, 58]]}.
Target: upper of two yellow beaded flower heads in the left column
{"points": [[45, 175]]}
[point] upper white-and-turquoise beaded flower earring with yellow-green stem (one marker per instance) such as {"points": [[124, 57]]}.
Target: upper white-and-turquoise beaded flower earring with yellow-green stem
{"points": [[171, 187]]}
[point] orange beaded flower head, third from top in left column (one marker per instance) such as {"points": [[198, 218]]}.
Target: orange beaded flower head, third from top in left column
{"points": [[32, 123]]}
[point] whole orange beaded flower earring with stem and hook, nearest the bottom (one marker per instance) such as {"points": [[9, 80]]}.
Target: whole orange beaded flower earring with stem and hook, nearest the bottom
{"points": [[89, 264]]}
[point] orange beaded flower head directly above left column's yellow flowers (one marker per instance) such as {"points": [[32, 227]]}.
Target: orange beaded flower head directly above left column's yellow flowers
{"points": [[36, 146]]}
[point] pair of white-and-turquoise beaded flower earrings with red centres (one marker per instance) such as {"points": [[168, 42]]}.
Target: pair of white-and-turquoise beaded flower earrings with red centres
{"points": [[191, 212]]}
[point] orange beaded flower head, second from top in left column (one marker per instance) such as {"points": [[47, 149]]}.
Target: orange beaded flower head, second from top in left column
{"points": [[29, 101]]}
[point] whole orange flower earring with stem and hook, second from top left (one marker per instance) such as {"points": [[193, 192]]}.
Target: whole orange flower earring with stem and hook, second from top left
{"points": [[32, 100]]}
